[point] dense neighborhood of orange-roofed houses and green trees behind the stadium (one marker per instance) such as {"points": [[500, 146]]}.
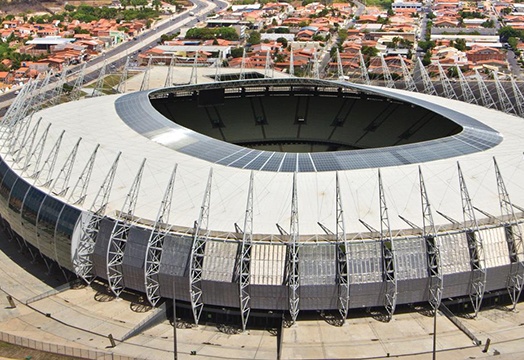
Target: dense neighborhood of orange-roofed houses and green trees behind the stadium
{"points": [[299, 38]]}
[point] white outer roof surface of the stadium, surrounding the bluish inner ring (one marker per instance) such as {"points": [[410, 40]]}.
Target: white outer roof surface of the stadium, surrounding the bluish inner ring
{"points": [[96, 121]]}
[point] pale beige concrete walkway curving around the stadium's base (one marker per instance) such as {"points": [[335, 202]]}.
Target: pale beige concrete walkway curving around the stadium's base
{"points": [[81, 319]]}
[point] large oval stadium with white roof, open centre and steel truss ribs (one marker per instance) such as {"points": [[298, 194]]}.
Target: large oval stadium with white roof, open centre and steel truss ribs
{"points": [[272, 196]]}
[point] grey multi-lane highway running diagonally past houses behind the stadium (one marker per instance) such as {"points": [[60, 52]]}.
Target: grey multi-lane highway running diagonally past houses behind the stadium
{"points": [[116, 57]]}
